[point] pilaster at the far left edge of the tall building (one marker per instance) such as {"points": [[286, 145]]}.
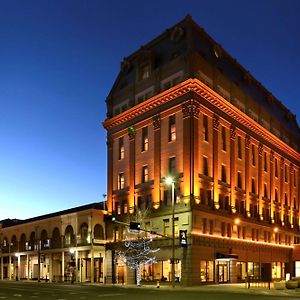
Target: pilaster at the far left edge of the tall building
{"points": [[109, 174]]}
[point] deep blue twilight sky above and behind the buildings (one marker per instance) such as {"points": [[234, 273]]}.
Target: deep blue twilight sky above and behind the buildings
{"points": [[59, 58]]}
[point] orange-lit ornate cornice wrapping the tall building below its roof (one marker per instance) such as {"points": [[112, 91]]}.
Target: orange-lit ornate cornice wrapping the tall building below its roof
{"points": [[211, 97]]}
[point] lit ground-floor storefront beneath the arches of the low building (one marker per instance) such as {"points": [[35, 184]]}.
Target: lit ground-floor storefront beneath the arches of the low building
{"points": [[78, 264]]}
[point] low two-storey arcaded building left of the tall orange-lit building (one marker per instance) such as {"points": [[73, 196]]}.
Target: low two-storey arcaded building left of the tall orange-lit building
{"points": [[63, 246]]}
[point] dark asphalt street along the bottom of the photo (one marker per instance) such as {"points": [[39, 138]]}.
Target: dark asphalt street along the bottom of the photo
{"points": [[49, 291]]}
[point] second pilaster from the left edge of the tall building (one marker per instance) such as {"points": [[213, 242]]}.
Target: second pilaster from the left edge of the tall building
{"points": [[131, 200]]}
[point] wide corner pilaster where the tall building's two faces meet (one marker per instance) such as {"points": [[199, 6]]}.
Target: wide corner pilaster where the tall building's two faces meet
{"points": [[190, 113]]}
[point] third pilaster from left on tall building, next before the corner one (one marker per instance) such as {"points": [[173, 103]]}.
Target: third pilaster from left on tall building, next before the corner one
{"points": [[157, 160]]}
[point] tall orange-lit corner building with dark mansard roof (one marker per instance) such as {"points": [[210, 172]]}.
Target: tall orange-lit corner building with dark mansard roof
{"points": [[181, 106]]}
